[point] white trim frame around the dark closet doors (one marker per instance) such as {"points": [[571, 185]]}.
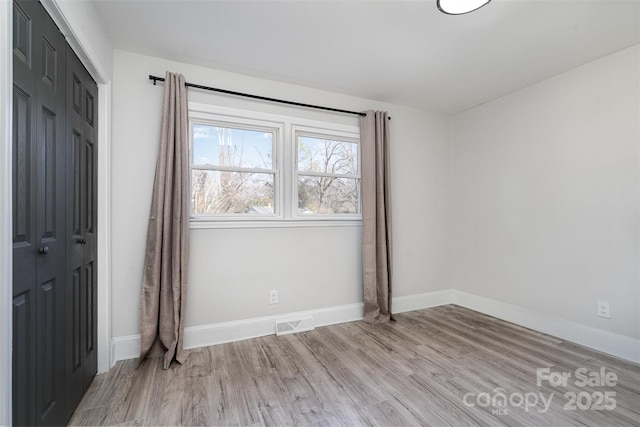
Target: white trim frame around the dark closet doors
{"points": [[80, 42]]}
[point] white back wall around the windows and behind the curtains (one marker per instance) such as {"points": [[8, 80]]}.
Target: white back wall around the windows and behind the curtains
{"points": [[232, 270]]}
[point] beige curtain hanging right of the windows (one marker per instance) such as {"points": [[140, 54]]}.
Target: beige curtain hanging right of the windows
{"points": [[376, 217]]}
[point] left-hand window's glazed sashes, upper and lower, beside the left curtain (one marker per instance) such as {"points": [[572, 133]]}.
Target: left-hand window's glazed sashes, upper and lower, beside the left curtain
{"points": [[233, 170]]}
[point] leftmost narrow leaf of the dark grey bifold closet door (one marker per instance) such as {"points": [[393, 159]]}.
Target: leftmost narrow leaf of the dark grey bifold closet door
{"points": [[24, 218]]}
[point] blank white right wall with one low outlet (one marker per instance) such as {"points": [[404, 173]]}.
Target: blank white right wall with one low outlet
{"points": [[546, 195]]}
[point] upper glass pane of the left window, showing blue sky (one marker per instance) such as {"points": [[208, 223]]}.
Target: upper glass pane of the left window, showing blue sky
{"points": [[220, 146]]}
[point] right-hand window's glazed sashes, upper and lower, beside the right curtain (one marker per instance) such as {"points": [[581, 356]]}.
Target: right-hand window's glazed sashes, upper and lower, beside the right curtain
{"points": [[327, 175]]}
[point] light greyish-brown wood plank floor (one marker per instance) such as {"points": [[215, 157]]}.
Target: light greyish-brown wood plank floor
{"points": [[427, 368]]}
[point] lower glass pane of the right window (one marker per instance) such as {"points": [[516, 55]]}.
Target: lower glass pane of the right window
{"points": [[327, 195]]}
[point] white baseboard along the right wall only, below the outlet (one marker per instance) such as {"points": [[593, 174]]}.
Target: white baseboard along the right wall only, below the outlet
{"points": [[598, 339]]}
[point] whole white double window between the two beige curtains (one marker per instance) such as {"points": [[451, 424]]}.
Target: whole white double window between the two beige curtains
{"points": [[254, 169]]}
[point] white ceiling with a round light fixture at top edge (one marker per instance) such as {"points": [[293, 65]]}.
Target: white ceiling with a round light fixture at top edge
{"points": [[402, 52]]}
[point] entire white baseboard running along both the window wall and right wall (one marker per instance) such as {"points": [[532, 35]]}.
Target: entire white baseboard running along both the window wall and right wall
{"points": [[128, 347]]}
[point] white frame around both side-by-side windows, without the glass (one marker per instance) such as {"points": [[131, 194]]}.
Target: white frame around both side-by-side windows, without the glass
{"points": [[285, 129]]}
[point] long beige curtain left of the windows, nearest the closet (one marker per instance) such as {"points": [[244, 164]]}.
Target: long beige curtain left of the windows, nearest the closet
{"points": [[164, 282]]}
